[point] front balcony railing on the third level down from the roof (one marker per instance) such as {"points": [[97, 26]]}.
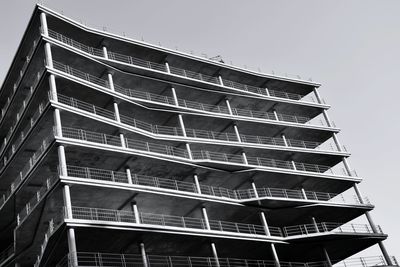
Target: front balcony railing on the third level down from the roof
{"points": [[191, 133]]}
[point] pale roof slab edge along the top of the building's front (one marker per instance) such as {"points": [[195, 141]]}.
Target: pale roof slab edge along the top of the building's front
{"points": [[171, 51]]}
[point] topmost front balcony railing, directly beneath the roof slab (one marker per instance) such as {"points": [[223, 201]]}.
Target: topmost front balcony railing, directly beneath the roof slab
{"points": [[178, 71]]}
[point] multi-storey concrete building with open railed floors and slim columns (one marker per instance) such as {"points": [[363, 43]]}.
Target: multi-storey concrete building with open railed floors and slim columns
{"points": [[115, 152]]}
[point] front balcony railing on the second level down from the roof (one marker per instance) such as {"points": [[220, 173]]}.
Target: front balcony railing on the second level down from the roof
{"points": [[245, 113]]}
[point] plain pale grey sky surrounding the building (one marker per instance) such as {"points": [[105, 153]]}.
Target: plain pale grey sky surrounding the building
{"points": [[351, 47]]}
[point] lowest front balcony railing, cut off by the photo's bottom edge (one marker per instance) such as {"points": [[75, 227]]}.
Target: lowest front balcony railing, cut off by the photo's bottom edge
{"points": [[97, 259]]}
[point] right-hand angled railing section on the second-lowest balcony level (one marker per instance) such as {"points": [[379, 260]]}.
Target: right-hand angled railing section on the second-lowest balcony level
{"points": [[306, 229]]}
